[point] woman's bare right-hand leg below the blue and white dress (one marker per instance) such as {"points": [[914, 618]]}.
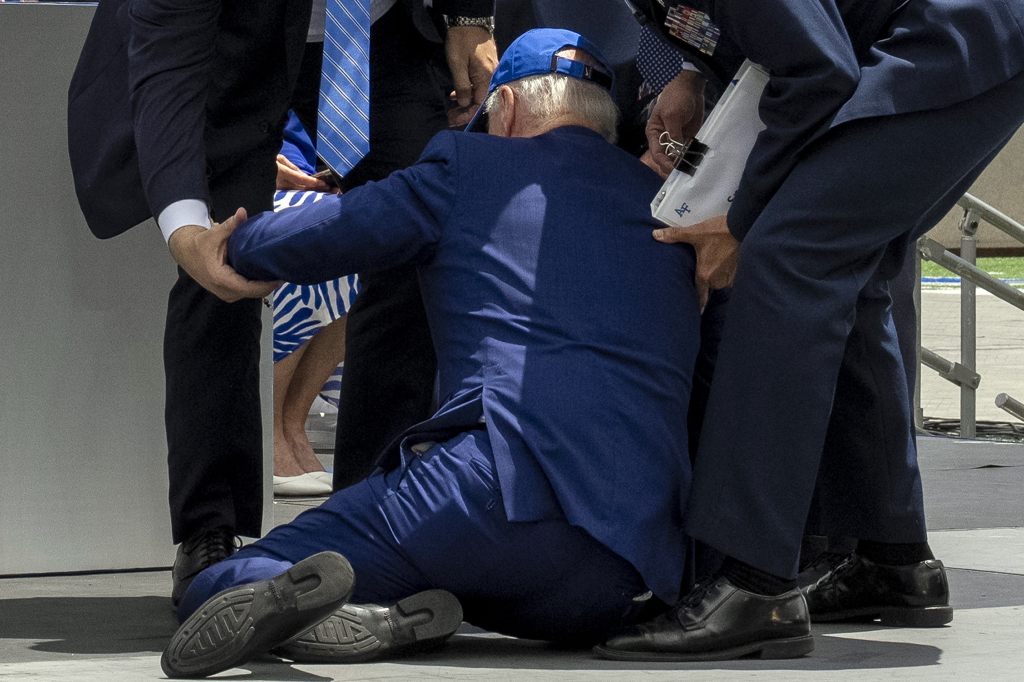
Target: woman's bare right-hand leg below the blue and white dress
{"points": [[324, 353]]}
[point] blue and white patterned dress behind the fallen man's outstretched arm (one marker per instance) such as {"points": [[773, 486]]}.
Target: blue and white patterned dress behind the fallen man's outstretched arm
{"points": [[300, 311]]}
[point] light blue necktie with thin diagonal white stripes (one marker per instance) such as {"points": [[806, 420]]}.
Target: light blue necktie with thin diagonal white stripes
{"points": [[344, 125]]}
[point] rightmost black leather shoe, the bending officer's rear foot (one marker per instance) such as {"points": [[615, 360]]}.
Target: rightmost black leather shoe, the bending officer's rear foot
{"points": [[915, 595]]}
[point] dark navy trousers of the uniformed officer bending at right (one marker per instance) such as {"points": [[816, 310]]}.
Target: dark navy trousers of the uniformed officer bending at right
{"points": [[809, 388]]}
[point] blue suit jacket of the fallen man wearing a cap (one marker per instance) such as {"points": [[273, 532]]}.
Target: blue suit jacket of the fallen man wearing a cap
{"points": [[561, 325]]}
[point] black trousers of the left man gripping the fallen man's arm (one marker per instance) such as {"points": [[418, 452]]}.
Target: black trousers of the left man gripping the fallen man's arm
{"points": [[211, 363]]}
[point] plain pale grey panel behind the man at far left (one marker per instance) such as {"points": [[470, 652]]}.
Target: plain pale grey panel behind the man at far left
{"points": [[83, 476]]}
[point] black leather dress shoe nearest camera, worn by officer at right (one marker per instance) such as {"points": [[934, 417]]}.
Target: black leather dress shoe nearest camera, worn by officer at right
{"points": [[718, 622]]}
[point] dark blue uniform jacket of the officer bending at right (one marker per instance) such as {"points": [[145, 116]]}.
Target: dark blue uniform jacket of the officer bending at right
{"points": [[837, 61]]}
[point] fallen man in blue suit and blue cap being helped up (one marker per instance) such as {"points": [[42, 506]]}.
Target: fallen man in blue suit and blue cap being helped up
{"points": [[544, 498]]}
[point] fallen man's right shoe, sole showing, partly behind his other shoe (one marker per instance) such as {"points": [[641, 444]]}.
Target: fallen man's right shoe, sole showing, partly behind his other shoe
{"points": [[358, 633]]}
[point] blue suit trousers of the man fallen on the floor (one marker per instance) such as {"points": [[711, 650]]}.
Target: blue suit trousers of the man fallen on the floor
{"points": [[439, 522]]}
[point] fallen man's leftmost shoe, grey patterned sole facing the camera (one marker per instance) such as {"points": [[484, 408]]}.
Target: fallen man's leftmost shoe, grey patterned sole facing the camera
{"points": [[248, 620]]}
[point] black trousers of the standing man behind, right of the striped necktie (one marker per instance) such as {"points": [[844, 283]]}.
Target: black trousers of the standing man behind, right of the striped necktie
{"points": [[390, 362]]}
